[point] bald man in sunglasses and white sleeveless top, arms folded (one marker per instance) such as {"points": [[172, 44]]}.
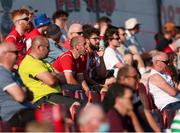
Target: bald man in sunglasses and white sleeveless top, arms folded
{"points": [[161, 86]]}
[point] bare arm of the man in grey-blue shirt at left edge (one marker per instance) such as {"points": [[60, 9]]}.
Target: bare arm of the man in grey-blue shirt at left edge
{"points": [[16, 92]]}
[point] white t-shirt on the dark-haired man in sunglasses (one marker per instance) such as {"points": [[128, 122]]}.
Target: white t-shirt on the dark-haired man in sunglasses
{"points": [[111, 58]]}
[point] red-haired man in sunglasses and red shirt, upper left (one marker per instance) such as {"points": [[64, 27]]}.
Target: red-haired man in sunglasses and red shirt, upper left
{"points": [[21, 20]]}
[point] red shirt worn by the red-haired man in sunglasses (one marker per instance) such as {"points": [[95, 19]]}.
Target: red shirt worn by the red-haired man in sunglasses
{"points": [[19, 41]]}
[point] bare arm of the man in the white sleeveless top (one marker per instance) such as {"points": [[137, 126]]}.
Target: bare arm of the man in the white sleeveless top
{"points": [[157, 80]]}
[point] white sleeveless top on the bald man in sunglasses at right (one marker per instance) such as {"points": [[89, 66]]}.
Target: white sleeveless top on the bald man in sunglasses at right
{"points": [[161, 98]]}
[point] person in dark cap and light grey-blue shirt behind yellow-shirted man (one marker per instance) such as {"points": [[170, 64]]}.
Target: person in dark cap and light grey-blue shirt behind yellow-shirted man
{"points": [[53, 33]]}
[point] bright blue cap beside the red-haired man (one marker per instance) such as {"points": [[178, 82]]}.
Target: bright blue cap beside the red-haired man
{"points": [[41, 20]]}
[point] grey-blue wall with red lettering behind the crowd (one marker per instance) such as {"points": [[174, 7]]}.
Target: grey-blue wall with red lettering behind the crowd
{"points": [[85, 11]]}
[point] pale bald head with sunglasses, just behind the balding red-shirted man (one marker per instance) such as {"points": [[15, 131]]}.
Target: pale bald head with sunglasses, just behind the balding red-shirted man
{"points": [[74, 29]]}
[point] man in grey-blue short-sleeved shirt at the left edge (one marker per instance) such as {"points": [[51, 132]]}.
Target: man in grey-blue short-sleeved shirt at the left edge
{"points": [[13, 111]]}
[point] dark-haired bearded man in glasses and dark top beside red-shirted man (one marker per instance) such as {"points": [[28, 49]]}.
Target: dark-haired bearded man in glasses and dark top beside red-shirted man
{"points": [[96, 72]]}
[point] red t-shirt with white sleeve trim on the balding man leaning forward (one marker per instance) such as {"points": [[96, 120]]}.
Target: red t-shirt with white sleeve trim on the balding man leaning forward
{"points": [[66, 63]]}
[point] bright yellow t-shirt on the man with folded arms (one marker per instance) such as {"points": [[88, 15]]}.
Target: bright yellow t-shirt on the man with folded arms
{"points": [[28, 70]]}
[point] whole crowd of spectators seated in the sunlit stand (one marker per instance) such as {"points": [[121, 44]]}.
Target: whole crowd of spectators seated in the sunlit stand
{"points": [[87, 78]]}
